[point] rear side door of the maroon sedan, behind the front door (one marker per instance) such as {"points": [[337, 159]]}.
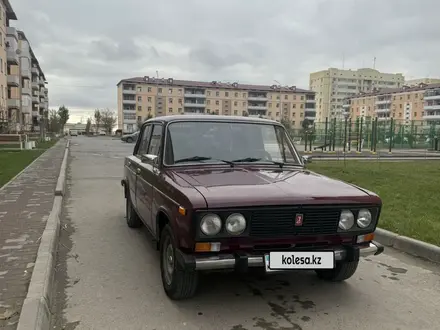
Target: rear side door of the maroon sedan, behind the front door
{"points": [[141, 149]]}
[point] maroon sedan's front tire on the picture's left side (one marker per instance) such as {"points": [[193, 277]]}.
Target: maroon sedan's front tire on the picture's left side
{"points": [[178, 283]]}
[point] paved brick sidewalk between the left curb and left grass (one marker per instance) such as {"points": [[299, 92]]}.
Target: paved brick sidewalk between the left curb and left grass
{"points": [[25, 204]]}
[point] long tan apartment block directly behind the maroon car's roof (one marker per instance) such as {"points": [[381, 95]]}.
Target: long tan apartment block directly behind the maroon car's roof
{"points": [[141, 97]]}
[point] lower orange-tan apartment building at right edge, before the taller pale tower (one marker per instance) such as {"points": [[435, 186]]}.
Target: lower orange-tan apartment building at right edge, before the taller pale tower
{"points": [[405, 104]]}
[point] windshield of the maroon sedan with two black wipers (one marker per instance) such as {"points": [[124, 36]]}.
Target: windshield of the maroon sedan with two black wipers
{"points": [[211, 141]]}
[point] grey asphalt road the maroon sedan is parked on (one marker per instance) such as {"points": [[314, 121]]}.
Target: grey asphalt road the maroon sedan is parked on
{"points": [[108, 275]]}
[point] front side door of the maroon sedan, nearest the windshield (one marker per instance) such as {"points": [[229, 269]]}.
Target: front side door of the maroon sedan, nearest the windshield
{"points": [[147, 174]]}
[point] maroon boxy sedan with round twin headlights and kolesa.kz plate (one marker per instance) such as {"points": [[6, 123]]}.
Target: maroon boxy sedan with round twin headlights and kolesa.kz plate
{"points": [[232, 193]]}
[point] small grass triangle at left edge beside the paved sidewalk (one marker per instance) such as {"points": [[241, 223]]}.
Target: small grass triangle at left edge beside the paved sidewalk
{"points": [[13, 162]]}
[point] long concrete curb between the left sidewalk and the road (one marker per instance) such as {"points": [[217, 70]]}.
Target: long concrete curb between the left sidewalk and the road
{"points": [[35, 313]]}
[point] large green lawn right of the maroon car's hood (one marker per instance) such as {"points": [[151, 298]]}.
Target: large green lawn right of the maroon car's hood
{"points": [[409, 191]]}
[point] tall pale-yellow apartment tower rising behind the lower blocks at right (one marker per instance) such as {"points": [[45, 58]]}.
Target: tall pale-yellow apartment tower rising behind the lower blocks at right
{"points": [[333, 85]]}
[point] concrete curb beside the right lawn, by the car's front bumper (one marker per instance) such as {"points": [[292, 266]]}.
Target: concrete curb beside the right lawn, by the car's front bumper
{"points": [[409, 245]]}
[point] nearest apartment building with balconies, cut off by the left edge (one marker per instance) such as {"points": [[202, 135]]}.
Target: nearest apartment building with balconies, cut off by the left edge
{"points": [[8, 55]]}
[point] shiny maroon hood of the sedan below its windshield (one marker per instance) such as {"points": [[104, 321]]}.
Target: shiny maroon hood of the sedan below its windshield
{"points": [[240, 186]]}
